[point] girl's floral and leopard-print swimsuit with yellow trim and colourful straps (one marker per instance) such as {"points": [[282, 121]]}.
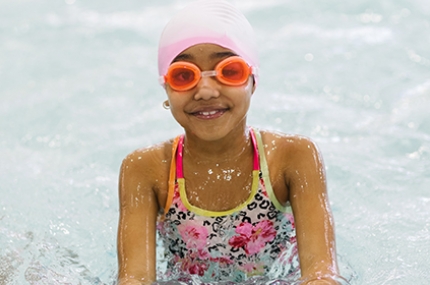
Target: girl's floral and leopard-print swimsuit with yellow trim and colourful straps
{"points": [[255, 238]]}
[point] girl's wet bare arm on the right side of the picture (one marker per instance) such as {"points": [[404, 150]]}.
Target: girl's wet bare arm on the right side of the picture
{"points": [[314, 223]]}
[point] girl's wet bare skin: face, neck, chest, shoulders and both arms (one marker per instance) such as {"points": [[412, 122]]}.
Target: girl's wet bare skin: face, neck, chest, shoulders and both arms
{"points": [[217, 142]]}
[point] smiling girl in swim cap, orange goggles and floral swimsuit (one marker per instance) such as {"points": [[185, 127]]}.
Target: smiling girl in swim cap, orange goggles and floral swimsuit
{"points": [[229, 201]]}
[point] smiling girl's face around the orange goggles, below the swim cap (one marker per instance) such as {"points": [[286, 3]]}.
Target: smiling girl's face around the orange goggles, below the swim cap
{"points": [[211, 110]]}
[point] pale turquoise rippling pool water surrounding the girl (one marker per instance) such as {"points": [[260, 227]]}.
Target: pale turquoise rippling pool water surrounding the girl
{"points": [[78, 91]]}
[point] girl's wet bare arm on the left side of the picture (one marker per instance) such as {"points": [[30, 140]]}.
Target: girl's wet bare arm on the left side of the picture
{"points": [[137, 223]]}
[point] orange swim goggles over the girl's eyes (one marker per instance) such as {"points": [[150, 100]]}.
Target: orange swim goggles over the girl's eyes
{"points": [[183, 76]]}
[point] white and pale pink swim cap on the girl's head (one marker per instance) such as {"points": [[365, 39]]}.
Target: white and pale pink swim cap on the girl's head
{"points": [[207, 21]]}
